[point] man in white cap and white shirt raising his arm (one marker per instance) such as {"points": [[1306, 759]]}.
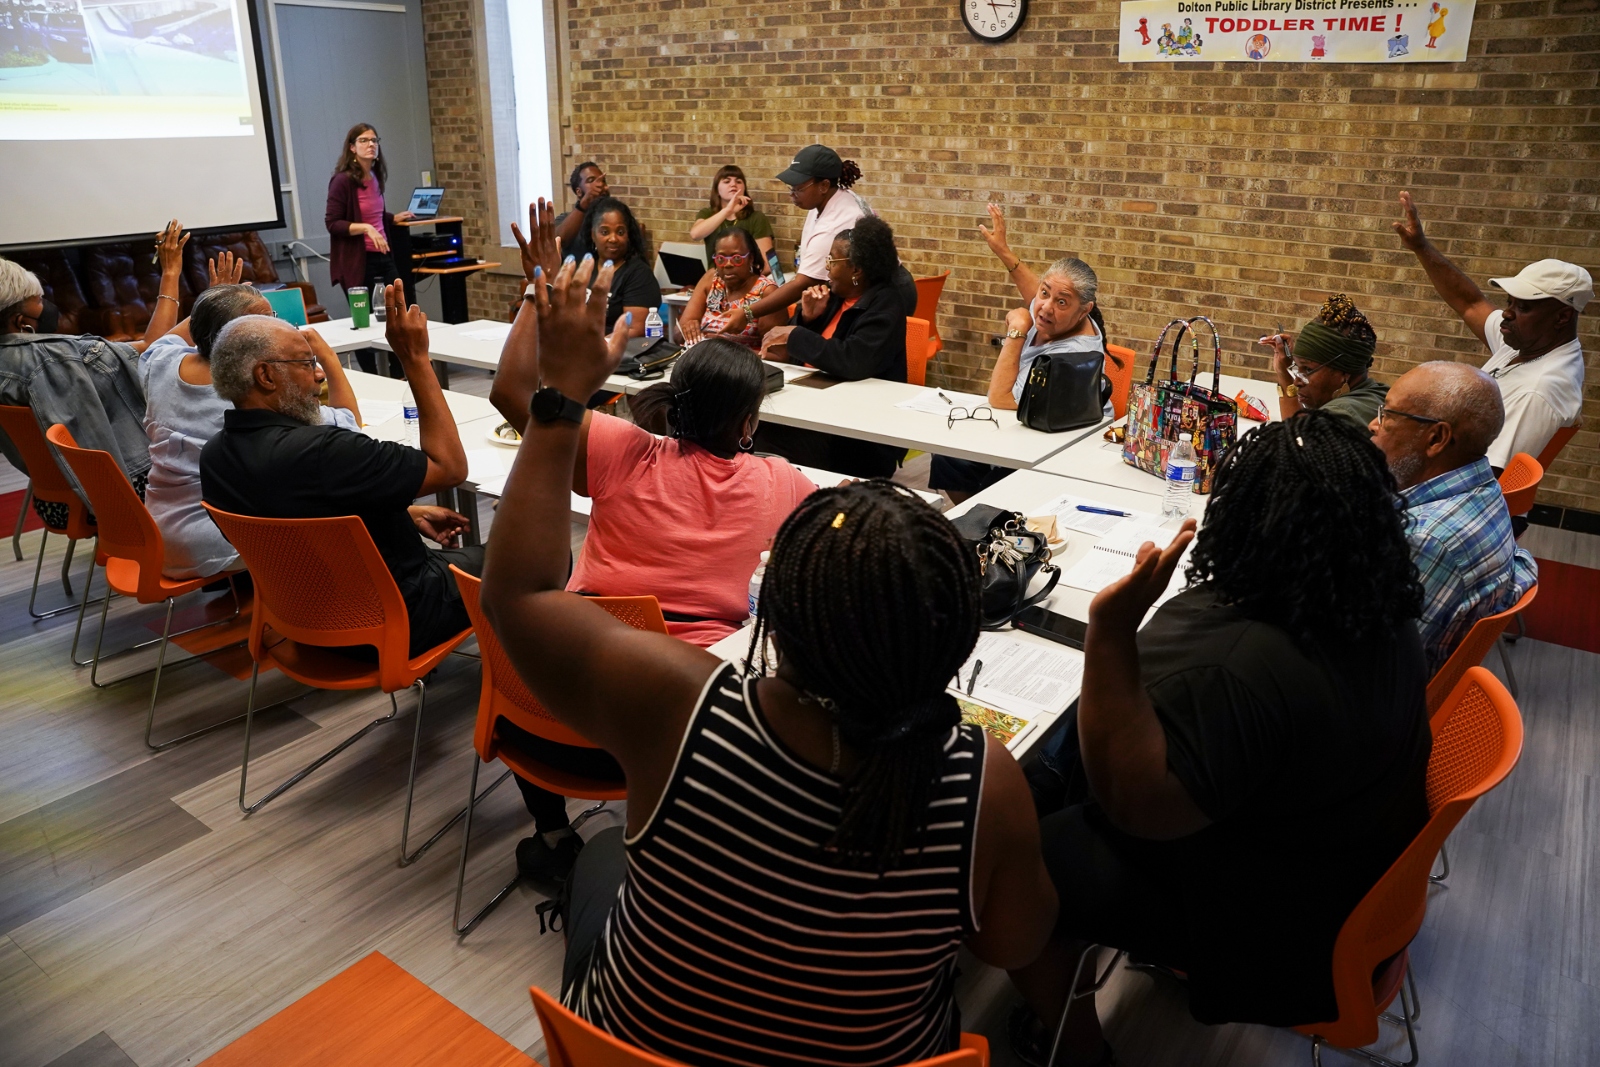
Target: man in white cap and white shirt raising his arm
{"points": [[1535, 353]]}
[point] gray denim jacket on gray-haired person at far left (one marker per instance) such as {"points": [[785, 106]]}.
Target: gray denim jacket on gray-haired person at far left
{"points": [[89, 385]]}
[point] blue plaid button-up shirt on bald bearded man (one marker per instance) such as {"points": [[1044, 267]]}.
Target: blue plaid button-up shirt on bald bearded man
{"points": [[1465, 553]]}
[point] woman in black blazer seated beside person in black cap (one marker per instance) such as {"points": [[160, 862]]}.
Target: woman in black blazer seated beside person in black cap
{"points": [[852, 329]]}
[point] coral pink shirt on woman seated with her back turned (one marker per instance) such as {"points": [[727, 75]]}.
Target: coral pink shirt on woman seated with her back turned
{"points": [[674, 522]]}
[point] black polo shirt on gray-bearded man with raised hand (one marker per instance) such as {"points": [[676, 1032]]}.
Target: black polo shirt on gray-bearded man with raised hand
{"points": [[273, 466]]}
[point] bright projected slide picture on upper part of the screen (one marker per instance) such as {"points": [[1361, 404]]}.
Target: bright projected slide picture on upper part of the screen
{"points": [[81, 70]]}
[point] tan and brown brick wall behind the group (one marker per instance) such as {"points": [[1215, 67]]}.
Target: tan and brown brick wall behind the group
{"points": [[1246, 193]]}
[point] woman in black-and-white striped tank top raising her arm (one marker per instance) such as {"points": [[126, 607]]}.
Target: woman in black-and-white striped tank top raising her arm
{"points": [[806, 852]]}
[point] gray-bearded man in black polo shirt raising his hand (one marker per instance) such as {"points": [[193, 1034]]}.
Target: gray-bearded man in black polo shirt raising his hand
{"points": [[274, 458]]}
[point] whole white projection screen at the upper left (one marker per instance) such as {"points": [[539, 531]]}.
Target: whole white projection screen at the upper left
{"points": [[121, 114]]}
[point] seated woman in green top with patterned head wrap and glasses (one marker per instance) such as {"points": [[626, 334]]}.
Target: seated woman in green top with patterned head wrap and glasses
{"points": [[1327, 370]]}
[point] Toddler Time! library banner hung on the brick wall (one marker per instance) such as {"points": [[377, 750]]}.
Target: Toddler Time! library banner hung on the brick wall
{"points": [[1295, 31]]}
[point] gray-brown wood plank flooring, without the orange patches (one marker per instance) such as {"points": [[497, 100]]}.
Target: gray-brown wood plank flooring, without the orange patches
{"points": [[143, 921]]}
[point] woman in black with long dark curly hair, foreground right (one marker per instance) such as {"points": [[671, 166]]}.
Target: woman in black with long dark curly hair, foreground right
{"points": [[1249, 764]]}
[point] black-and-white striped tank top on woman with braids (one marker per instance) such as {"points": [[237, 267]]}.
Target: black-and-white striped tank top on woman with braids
{"points": [[734, 945]]}
